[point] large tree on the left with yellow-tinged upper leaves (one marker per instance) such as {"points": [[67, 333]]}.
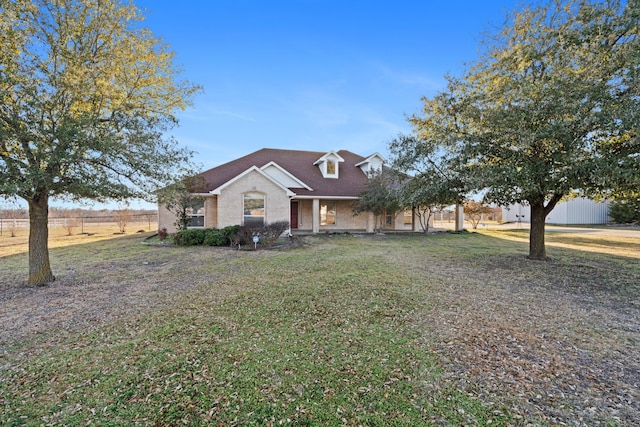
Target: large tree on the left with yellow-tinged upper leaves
{"points": [[86, 95]]}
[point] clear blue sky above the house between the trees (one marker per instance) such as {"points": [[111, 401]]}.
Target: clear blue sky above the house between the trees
{"points": [[313, 74]]}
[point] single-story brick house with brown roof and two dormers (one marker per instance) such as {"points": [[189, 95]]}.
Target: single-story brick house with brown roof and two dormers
{"points": [[314, 191]]}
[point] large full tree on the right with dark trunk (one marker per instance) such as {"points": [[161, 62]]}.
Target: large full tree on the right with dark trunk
{"points": [[549, 111]]}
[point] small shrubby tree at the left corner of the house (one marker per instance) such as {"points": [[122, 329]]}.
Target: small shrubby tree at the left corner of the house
{"points": [[183, 198]]}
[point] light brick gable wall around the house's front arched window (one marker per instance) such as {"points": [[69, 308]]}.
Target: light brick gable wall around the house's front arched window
{"points": [[231, 198]]}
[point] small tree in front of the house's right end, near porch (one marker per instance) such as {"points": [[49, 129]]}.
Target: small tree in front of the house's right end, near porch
{"points": [[428, 183]]}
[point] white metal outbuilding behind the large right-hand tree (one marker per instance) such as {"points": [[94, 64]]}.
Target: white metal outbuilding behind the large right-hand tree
{"points": [[580, 210]]}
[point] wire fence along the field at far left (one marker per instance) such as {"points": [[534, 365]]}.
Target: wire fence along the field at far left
{"points": [[86, 224]]}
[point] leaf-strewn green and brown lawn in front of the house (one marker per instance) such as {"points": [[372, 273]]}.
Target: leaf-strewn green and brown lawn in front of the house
{"points": [[447, 329]]}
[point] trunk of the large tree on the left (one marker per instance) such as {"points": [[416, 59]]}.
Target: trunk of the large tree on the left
{"points": [[39, 267]]}
